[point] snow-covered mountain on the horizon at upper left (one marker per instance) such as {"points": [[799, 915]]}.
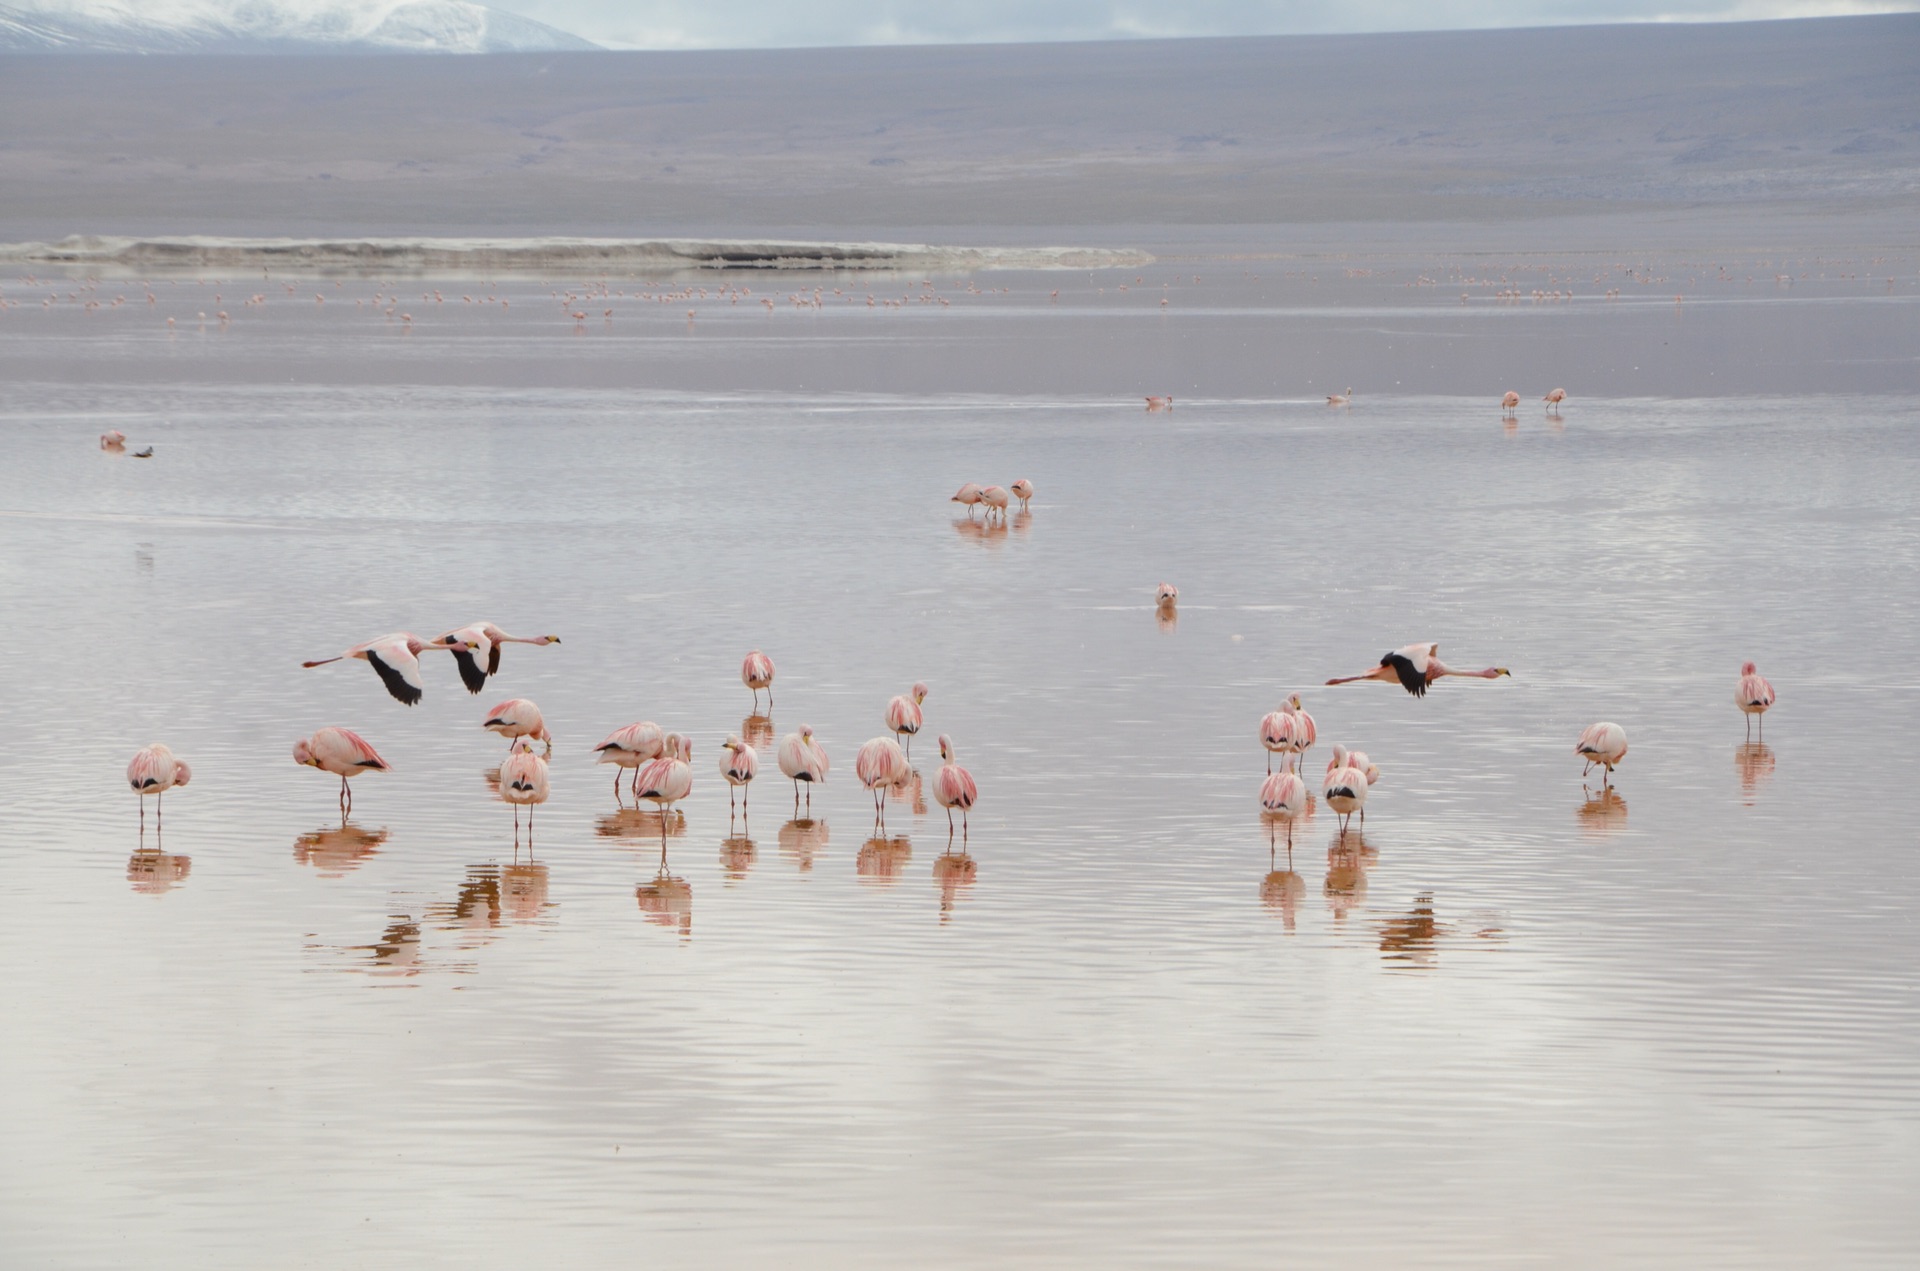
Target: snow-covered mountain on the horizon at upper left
{"points": [[272, 26]]}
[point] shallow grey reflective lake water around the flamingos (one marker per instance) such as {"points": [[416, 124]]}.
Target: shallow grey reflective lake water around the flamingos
{"points": [[1512, 1020]]}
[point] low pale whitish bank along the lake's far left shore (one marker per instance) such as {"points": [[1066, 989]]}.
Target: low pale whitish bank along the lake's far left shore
{"points": [[471, 256]]}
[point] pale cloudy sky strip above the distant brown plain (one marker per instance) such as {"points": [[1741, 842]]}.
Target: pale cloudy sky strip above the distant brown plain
{"points": [[769, 24]]}
